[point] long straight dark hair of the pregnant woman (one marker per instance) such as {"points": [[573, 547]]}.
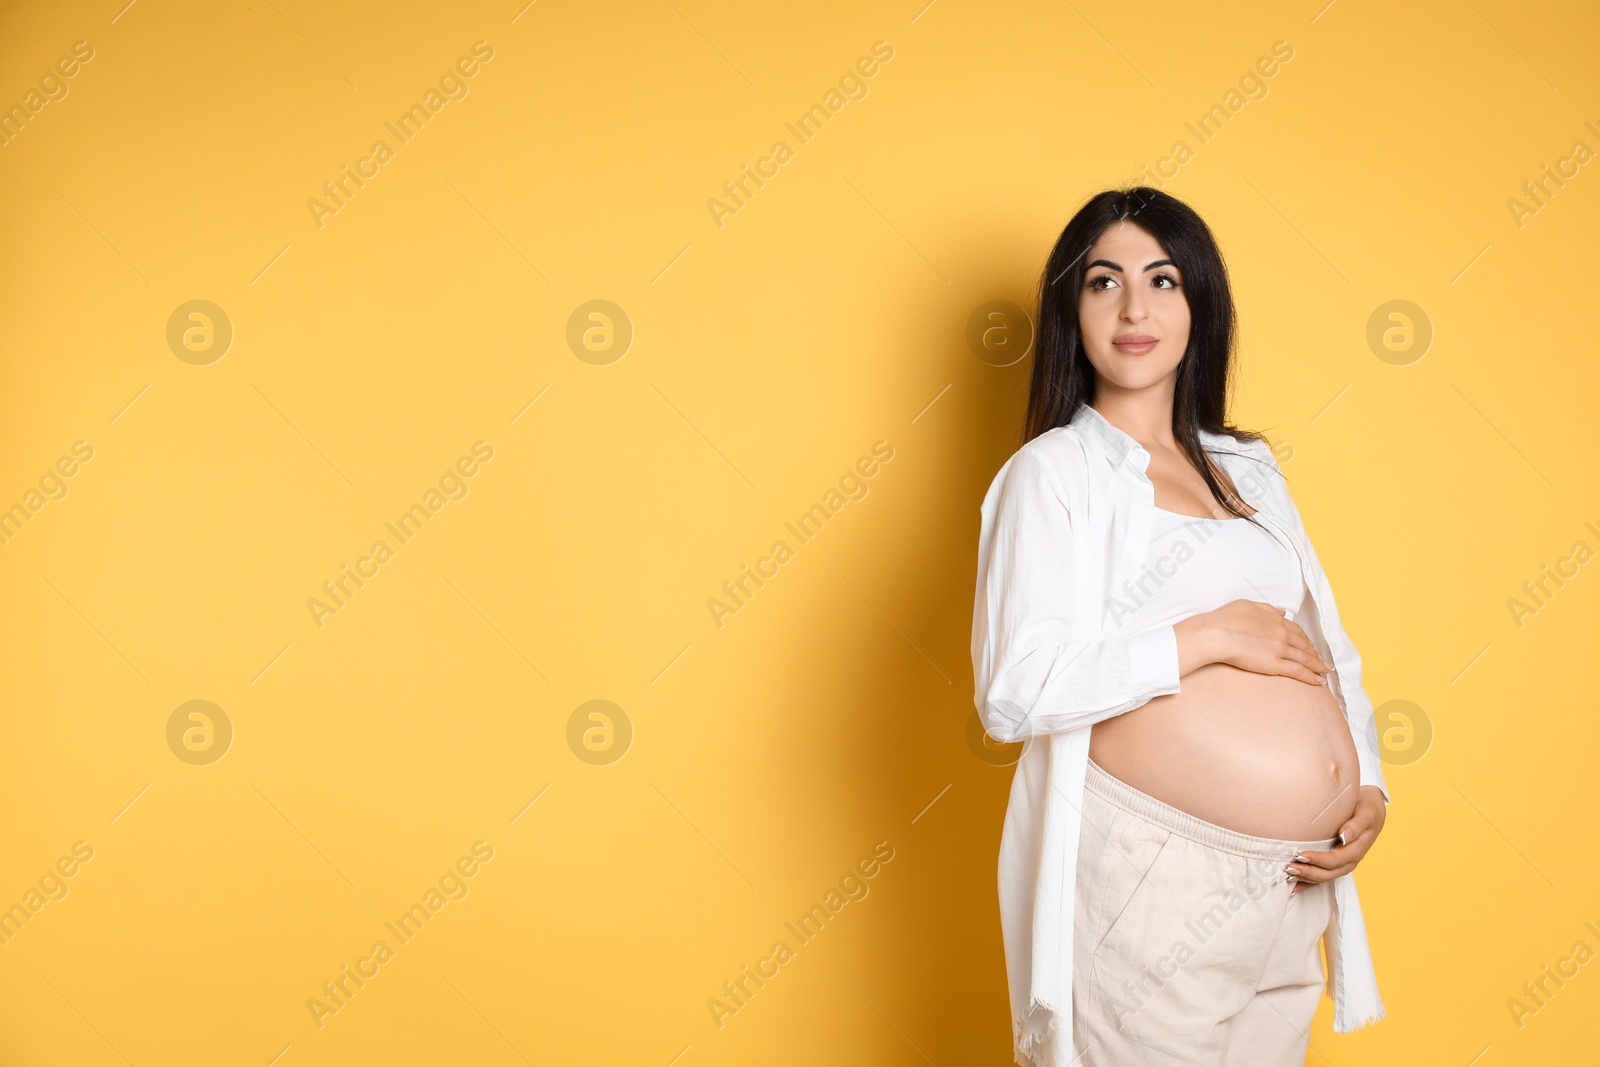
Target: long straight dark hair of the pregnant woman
{"points": [[1063, 375]]}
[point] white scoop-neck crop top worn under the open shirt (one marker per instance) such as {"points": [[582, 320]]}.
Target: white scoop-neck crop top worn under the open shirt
{"points": [[1198, 565]]}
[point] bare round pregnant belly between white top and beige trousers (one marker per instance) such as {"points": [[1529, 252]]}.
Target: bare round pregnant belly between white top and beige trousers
{"points": [[1258, 754]]}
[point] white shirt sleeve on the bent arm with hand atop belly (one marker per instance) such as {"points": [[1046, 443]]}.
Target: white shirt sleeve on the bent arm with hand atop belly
{"points": [[1033, 677]]}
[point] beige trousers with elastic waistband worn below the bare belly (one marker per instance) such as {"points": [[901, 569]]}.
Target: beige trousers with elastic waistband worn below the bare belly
{"points": [[1188, 945]]}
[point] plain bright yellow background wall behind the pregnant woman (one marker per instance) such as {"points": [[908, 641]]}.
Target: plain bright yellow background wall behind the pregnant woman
{"points": [[769, 356]]}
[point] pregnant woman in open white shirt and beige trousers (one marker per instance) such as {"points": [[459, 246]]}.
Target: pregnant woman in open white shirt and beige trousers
{"points": [[1201, 773]]}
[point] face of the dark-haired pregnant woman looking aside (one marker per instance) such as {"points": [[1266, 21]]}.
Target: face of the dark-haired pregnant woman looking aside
{"points": [[1132, 313]]}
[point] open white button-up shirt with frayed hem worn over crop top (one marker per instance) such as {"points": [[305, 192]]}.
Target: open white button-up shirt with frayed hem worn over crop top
{"points": [[1065, 524]]}
